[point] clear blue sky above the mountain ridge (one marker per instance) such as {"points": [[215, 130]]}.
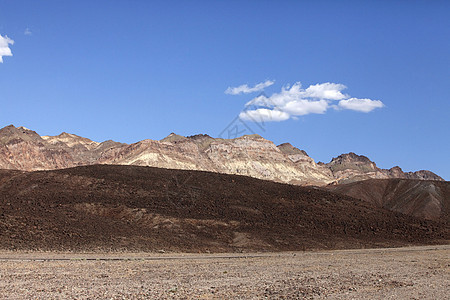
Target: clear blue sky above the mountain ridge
{"points": [[131, 70]]}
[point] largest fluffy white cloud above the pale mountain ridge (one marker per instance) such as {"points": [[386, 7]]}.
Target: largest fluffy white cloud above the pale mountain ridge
{"points": [[294, 101]]}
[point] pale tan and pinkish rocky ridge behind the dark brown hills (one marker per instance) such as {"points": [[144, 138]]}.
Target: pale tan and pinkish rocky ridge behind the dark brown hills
{"points": [[251, 155]]}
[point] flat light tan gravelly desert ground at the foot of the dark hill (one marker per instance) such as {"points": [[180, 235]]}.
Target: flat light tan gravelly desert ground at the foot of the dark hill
{"points": [[402, 273]]}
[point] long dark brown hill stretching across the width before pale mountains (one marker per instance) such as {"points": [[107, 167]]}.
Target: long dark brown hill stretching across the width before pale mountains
{"points": [[142, 208]]}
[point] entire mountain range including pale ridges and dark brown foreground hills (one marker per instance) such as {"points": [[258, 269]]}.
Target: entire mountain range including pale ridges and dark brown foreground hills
{"points": [[68, 192]]}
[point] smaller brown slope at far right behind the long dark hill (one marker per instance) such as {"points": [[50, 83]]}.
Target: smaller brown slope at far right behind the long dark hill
{"points": [[420, 198]]}
